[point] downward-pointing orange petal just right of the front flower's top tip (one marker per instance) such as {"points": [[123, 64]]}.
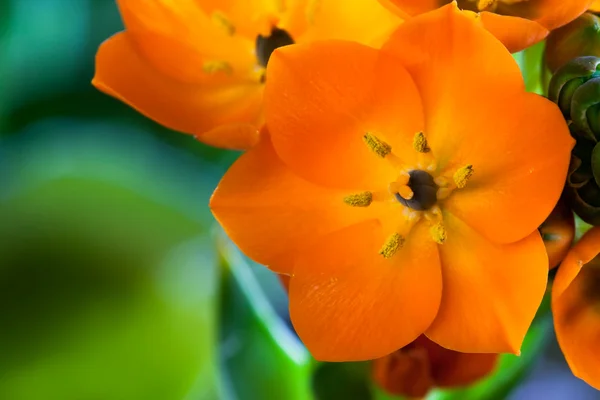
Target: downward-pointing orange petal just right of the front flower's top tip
{"points": [[515, 33]]}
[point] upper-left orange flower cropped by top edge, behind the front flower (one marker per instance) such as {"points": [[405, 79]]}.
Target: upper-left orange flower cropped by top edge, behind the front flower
{"points": [[197, 66]]}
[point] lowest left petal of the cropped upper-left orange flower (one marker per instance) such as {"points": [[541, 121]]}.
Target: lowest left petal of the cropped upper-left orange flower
{"points": [[193, 109]]}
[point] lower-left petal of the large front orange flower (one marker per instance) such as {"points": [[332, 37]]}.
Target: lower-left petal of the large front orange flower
{"points": [[349, 303]]}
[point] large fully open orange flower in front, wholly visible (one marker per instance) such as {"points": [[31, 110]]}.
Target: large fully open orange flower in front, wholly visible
{"points": [[402, 190]]}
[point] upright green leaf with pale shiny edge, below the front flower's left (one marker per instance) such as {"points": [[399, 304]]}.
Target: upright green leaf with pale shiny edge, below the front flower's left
{"points": [[263, 358]]}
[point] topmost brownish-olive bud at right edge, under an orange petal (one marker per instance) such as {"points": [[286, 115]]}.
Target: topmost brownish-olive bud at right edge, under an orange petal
{"points": [[579, 38]]}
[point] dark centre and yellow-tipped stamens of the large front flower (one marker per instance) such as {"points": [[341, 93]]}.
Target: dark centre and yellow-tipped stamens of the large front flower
{"points": [[419, 190]]}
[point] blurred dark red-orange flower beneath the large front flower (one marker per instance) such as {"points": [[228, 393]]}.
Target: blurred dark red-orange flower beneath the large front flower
{"points": [[423, 365]]}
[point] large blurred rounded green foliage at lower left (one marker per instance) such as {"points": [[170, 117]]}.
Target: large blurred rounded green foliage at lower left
{"points": [[108, 280]]}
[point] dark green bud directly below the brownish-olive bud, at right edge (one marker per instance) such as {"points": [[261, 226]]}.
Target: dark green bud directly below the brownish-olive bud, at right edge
{"points": [[569, 78]]}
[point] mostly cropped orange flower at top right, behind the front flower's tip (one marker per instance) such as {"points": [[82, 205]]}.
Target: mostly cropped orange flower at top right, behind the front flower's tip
{"points": [[517, 23]]}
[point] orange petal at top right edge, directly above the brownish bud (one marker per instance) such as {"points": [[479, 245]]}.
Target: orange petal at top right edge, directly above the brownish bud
{"points": [[555, 13]]}
